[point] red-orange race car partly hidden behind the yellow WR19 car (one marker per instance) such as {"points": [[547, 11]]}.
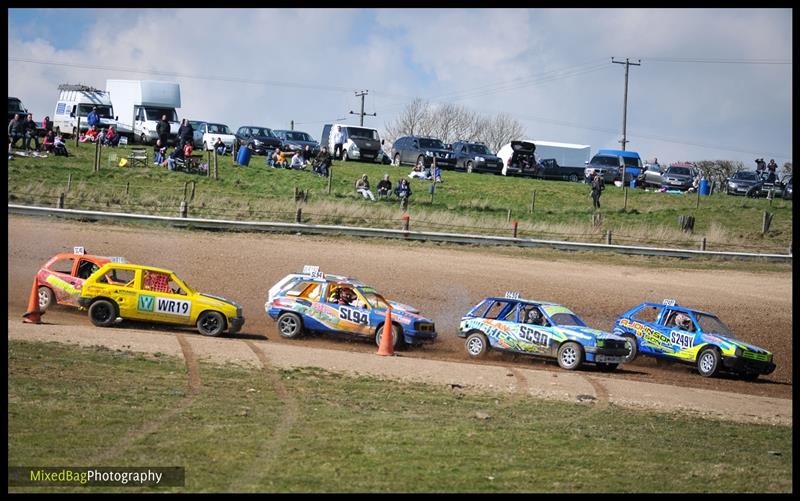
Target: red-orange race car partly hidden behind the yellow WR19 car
{"points": [[61, 278]]}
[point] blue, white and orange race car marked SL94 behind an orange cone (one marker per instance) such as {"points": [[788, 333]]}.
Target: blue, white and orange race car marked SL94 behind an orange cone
{"points": [[319, 302]]}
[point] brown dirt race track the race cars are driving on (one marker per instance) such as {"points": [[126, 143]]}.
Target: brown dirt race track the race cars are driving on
{"points": [[442, 281]]}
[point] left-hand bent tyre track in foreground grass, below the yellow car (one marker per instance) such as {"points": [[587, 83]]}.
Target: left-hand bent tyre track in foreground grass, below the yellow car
{"points": [[194, 384]]}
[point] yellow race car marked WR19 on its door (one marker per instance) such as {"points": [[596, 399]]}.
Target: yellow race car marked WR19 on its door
{"points": [[120, 291]]}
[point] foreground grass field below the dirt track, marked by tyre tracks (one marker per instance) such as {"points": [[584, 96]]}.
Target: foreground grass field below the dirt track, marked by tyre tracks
{"points": [[311, 431]]}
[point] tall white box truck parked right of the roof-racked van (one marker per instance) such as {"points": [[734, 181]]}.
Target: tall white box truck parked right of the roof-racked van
{"points": [[141, 104]]}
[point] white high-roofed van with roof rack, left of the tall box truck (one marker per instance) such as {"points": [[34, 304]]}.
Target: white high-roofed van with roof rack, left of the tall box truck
{"points": [[76, 101]]}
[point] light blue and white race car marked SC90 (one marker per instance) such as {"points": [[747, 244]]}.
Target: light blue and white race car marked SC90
{"points": [[538, 328]]}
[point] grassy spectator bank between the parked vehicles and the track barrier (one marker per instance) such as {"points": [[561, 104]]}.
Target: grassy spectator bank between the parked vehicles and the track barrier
{"points": [[473, 203]]}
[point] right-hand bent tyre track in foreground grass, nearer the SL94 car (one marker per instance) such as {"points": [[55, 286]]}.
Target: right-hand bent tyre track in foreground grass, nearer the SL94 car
{"points": [[263, 459]]}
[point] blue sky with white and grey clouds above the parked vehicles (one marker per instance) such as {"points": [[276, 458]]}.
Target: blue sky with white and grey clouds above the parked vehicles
{"points": [[712, 83]]}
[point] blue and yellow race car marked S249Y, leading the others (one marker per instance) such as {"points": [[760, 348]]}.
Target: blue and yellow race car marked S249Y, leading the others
{"points": [[691, 336]]}
